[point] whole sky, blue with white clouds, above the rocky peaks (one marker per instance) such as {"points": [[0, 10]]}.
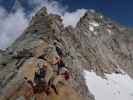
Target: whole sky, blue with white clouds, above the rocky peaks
{"points": [[18, 14]]}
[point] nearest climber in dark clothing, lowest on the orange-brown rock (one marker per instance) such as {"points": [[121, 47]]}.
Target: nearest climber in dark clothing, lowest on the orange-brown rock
{"points": [[41, 77]]}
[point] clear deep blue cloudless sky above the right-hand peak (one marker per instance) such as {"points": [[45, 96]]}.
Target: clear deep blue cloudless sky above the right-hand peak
{"points": [[118, 10]]}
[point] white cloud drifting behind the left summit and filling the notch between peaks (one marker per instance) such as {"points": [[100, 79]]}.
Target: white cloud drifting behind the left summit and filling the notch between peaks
{"points": [[54, 7]]}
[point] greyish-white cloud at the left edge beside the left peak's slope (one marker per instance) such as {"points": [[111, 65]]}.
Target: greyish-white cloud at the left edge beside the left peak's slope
{"points": [[11, 26]]}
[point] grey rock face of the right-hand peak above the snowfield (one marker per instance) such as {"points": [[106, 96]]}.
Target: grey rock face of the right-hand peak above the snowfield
{"points": [[107, 46]]}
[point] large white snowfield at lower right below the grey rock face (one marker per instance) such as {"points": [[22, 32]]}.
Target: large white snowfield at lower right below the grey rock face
{"points": [[116, 87]]}
